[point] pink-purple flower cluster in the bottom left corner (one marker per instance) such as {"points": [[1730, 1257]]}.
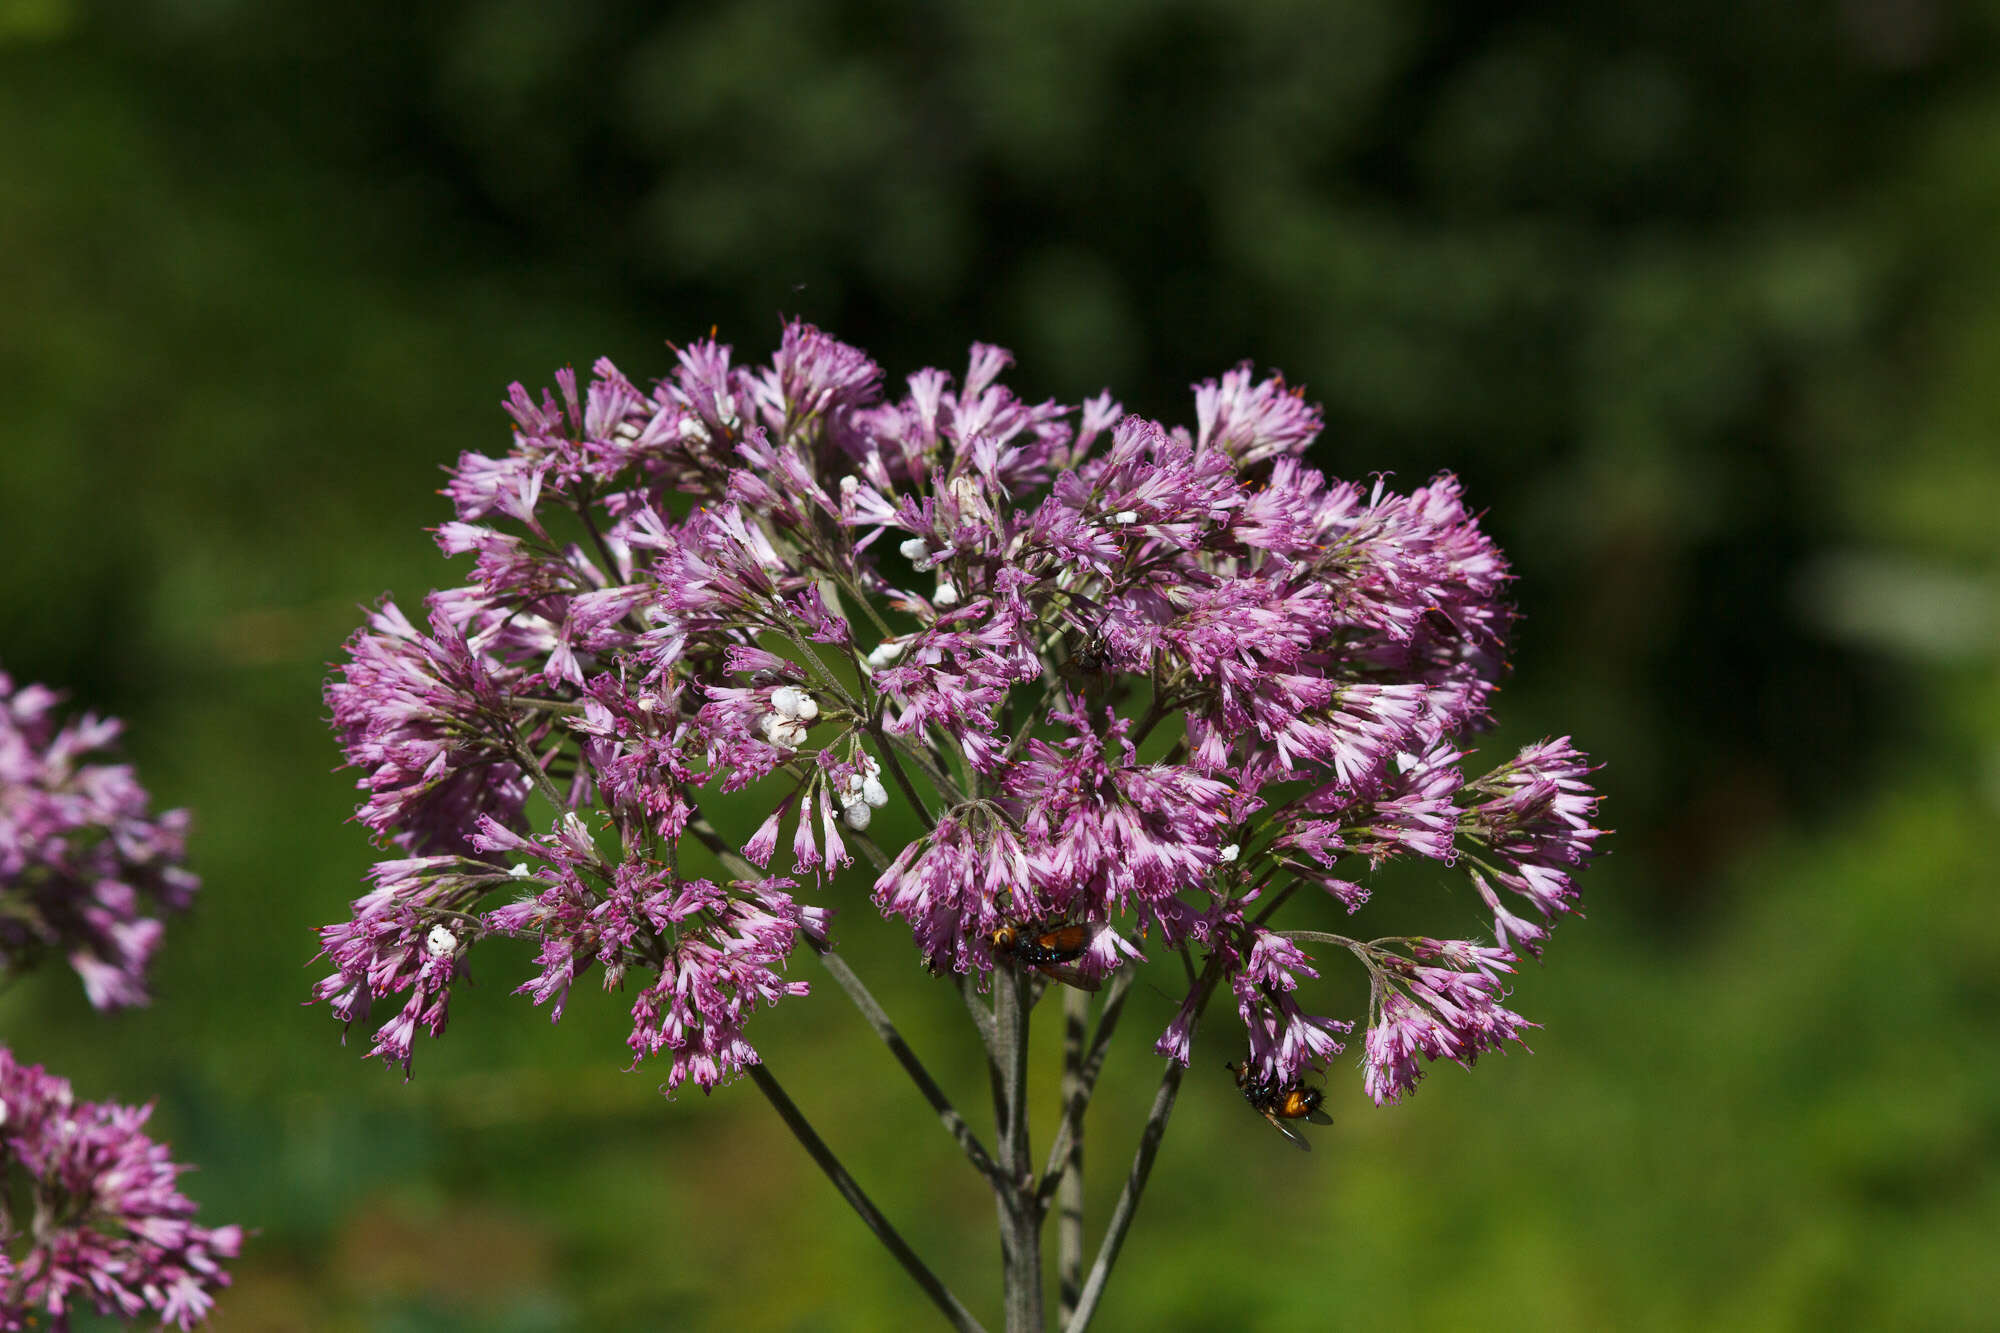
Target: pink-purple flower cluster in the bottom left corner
{"points": [[91, 1216]]}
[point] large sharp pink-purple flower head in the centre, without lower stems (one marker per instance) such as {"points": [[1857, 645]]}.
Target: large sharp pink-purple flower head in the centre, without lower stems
{"points": [[1137, 678]]}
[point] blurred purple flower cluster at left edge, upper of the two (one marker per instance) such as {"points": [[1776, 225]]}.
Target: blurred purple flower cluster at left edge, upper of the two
{"points": [[83, 866]]}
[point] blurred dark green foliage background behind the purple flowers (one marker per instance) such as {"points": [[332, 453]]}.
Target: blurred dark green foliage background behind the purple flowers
{"points": [[1703, 301]]}
